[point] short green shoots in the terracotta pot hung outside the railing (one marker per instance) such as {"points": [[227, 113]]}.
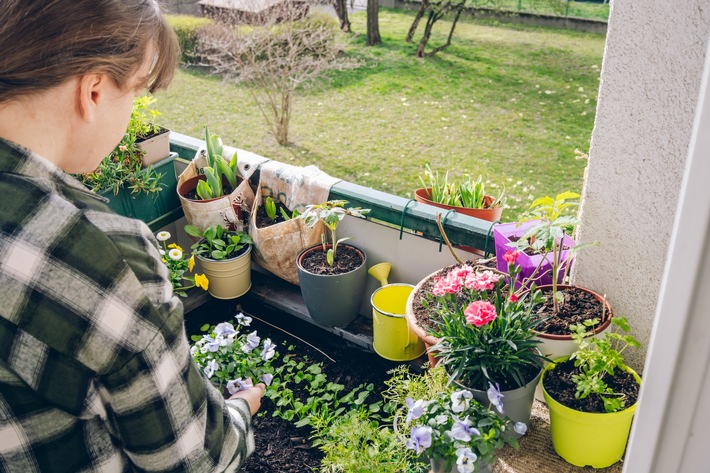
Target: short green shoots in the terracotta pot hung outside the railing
{"points": [[468, 193]]}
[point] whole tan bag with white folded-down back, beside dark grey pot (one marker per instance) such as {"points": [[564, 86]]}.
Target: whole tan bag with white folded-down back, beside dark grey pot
{"points": [[277, 246]]}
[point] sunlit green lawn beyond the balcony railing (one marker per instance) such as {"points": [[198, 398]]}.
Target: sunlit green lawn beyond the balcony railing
{"points": [[512, 103]]}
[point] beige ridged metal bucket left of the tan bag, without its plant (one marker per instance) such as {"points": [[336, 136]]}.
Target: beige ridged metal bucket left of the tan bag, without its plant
{"points": [[230, 278]]}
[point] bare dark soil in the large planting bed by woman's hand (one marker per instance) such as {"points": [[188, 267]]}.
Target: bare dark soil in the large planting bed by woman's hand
{"points": [[280, 446]]}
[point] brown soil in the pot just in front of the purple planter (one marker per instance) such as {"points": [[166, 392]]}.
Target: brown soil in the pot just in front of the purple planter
{"points": [[576, 307]]}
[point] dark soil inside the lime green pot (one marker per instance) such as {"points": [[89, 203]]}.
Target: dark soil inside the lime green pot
{"points": [[558, 384]]}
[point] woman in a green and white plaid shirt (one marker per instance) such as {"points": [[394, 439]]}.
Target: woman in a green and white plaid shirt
{"points": [[95, 370]]}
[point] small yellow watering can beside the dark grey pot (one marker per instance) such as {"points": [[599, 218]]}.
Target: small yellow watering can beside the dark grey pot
{"points": [[392, 338]]}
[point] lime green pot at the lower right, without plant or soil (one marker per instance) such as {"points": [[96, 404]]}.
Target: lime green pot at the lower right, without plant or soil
{"points": [[588, 439]]}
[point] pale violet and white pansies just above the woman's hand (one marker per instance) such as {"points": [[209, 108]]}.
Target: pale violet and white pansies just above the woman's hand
{"points": [[232, 358]]}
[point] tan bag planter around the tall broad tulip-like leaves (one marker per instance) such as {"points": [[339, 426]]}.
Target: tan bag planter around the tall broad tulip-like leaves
{"points": [[227, 211]]}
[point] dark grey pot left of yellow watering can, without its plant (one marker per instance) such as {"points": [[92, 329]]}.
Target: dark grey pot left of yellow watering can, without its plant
{"points": [[332, 300]]}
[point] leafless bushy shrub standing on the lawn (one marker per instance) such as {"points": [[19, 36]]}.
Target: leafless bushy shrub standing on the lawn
{"points": [[274, 59]]}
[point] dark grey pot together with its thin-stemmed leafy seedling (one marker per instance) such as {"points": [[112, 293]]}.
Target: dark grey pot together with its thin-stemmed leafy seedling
{"points": [[332, 275]]}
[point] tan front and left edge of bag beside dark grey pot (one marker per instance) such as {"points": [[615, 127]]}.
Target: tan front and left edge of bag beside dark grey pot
{"points": [[277, 246]]}
